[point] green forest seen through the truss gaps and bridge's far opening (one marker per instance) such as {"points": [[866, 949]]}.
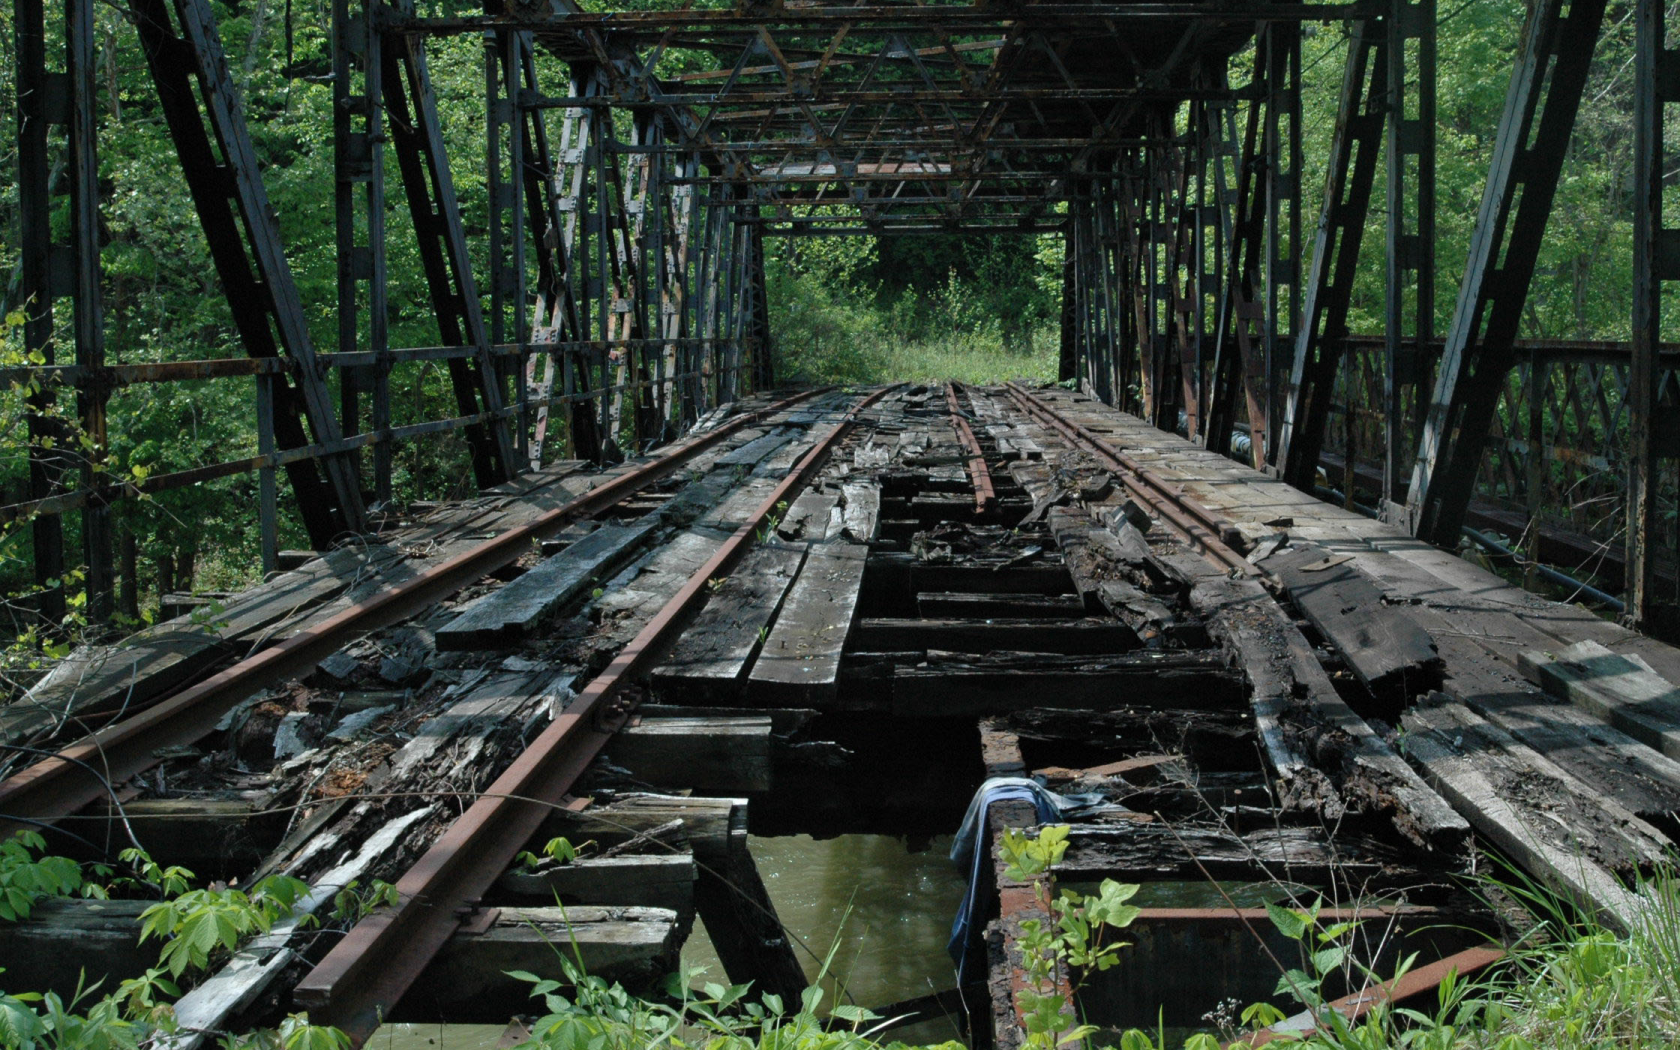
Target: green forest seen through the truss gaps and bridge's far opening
{"points": [[849, 310]]}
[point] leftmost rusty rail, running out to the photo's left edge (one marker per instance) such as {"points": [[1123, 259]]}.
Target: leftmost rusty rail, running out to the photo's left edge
{"points": [[65, 784]]}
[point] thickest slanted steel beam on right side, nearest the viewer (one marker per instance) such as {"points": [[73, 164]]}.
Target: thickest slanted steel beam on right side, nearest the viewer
{"points": [[1530, 152]]}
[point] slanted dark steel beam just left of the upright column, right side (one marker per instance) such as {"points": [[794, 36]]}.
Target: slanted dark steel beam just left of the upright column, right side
{"points": [[1348, 181]]}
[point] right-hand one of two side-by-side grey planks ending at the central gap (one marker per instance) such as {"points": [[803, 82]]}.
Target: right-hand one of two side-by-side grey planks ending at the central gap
{"points": [[801, 661]]}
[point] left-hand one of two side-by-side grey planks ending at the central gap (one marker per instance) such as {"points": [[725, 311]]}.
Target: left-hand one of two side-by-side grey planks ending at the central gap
{"points": [[711, 658]]}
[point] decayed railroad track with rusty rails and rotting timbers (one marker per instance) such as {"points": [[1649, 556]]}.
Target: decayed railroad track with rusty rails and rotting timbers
{"points": [[957, 584]]}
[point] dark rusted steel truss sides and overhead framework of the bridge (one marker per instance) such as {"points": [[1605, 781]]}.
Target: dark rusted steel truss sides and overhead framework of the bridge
{"points": [[629, 211]]}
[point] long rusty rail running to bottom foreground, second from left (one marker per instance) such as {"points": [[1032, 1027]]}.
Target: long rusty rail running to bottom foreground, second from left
{"points": [[370, 970]]}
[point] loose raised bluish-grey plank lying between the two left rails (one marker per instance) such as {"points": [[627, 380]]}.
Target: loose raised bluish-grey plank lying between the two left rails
{"points": [[520, 607]]}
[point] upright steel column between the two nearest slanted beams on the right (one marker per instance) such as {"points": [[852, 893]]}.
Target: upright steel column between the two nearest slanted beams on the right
{"points": [[1410, 228]]}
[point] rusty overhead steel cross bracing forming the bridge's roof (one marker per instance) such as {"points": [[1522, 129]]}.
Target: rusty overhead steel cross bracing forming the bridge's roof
{"points": [[898, 118]]}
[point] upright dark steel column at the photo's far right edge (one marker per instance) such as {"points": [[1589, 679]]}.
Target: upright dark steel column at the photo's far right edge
{"points": [[1656, 260]]}
